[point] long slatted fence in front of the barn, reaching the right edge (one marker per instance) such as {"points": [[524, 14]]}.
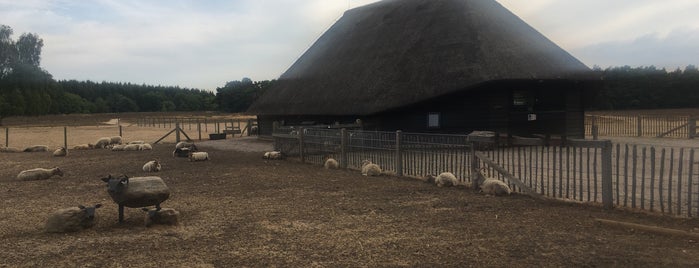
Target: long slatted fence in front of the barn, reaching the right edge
{"points": [[648, 178]]}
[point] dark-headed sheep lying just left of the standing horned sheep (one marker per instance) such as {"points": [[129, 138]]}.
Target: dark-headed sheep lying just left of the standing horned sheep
{"points": [[71, 219]]}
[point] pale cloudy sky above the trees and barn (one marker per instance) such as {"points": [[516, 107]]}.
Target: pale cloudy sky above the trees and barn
{"points": [[204, 44]]}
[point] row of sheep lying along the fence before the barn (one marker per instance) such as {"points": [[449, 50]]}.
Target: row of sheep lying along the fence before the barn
{"points": [[486, 185]]}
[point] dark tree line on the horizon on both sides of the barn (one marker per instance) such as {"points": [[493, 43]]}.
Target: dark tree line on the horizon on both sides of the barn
{"points": [[28, 89]]}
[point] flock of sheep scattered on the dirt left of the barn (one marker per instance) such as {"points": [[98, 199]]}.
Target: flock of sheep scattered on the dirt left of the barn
{"points": [[125, 191]]}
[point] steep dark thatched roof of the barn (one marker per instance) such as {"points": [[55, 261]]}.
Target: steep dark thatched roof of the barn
{"points": [[399, 52]]}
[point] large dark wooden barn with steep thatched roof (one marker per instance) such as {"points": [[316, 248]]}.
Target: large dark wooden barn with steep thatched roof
{"points": [[441, 66]]}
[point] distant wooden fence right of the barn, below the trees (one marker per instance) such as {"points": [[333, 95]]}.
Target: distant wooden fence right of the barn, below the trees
{"points": [[614, 125]]}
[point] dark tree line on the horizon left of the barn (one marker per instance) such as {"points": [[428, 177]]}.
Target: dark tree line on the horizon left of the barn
{"points": [[26, 89]]}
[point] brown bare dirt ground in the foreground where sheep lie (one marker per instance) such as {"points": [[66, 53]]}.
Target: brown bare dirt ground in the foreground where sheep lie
{"points": [[239, 210]]}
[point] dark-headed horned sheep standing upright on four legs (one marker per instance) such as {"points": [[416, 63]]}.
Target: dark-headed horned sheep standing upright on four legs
{"points": [[136, 192]]}
